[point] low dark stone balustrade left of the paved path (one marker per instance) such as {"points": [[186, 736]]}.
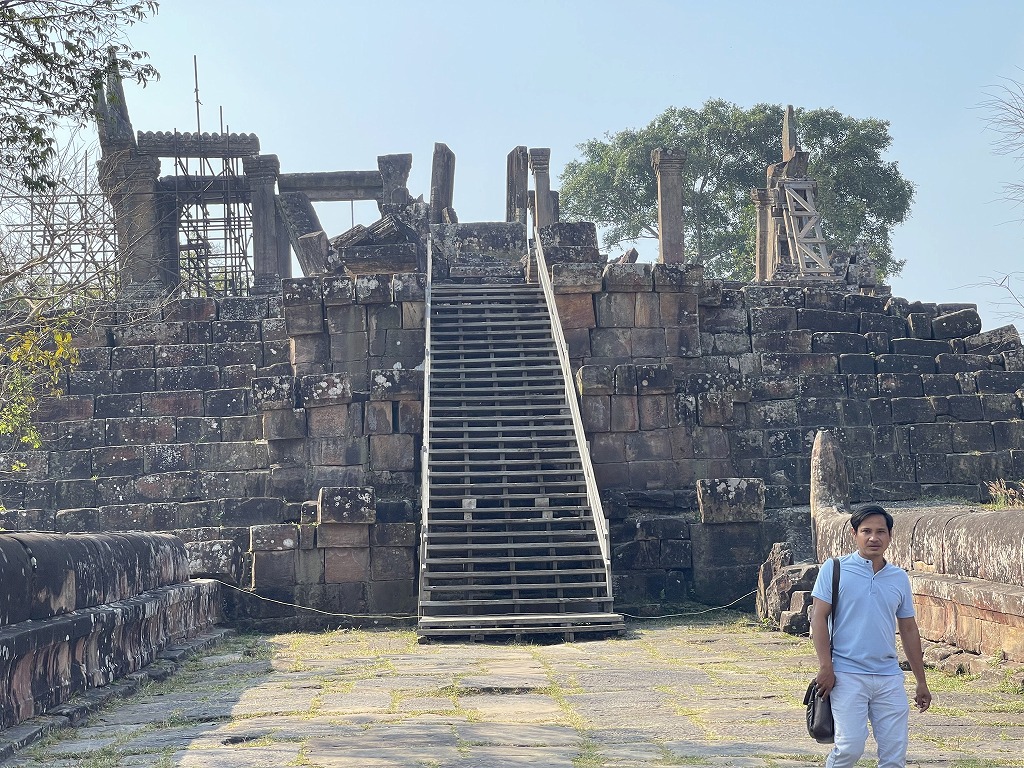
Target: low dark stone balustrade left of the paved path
{"points": [[79, 612]]}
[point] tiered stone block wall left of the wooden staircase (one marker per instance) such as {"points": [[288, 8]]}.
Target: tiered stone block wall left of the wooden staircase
{"points": [[223, 420]]}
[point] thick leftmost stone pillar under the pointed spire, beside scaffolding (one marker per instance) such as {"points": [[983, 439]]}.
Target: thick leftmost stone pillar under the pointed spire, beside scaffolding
{"points": [[130, 182]]}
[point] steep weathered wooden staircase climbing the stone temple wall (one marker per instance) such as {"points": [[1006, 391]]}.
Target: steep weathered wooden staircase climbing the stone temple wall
{"points": [[510, 545]]}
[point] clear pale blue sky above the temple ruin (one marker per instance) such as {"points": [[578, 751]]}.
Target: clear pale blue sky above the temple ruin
{"points": [[329, 86]]}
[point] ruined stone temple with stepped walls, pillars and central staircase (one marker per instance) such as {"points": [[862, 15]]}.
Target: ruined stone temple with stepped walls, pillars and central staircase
{"points": [[486, 426]]}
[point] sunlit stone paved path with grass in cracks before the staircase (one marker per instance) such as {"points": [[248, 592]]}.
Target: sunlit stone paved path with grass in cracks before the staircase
{"points": [[705, 692]]}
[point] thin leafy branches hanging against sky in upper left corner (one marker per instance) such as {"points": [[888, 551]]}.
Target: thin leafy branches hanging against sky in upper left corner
{"points": [[54, 55]]}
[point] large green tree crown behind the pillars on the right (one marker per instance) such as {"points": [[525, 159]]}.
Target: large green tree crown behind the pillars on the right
{"points": [[862, 197]]}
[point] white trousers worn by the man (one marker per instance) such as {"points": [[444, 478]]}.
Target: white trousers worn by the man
{"points": [[879, 699]]}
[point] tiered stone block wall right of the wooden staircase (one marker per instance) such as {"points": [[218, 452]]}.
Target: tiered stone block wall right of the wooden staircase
{"points": [[923, 403]]}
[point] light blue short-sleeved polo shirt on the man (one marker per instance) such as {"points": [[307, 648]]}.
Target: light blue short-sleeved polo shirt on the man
{"points": [[870, 604]]}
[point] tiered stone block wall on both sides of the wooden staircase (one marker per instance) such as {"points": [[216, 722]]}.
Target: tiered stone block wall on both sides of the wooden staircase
{"points": [[219, 418]]}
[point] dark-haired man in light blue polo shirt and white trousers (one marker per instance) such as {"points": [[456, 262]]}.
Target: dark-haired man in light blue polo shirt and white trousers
{"points": [[862, 674]]}
